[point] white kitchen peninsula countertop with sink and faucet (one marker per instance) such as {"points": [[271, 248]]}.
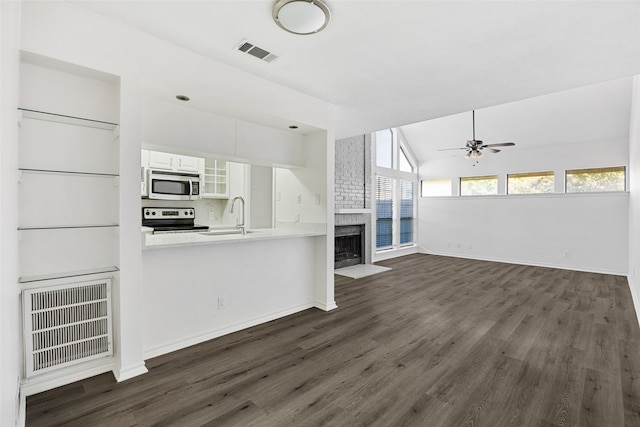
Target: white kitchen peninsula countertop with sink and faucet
{"points": [[151, 241]]}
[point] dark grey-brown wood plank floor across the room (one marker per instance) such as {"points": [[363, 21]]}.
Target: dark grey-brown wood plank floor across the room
{"points": [[436, 341]]}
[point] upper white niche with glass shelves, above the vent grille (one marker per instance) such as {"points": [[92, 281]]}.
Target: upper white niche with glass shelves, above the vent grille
{"points": [[68, 179]]}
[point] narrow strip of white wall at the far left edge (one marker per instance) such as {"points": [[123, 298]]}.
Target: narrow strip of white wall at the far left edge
{"points": [[10, 332]]}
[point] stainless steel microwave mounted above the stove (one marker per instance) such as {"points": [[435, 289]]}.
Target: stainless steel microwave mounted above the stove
{"points": [[172, 186]]}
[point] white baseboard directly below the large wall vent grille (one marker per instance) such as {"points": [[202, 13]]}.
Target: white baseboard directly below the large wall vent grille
{"points": [[65, 376]]}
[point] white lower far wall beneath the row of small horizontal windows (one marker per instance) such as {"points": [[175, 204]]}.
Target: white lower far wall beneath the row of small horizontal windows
{"points": [[580, 232]]}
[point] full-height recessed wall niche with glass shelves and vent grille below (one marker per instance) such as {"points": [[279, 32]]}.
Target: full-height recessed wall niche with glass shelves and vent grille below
{"points": [[68, 201]]}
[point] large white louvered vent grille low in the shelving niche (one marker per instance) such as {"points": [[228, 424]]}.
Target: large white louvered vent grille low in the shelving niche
{"points": [[67, 324]]}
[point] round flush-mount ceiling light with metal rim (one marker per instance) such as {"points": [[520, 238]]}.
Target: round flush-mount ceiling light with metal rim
{"points": [[301, 16]]}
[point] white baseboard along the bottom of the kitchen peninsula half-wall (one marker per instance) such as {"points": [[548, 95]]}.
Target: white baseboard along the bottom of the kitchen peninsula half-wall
{"points": [[200, 338]]}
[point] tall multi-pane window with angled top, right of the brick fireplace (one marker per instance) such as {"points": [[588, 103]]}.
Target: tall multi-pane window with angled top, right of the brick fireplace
{"points": [[395, 191]]}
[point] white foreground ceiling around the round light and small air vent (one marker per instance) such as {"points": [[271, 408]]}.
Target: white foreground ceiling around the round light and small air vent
{"points": [[392, 63]]}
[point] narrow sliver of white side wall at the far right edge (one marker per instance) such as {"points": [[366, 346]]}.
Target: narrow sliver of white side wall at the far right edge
{"points": [[634, 196]]}
